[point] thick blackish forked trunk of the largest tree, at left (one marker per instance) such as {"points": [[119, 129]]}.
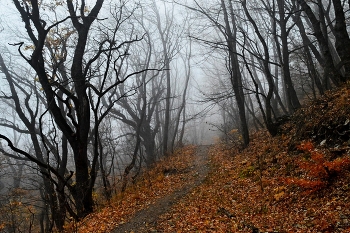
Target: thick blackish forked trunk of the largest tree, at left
{"points": [[77, 136]]}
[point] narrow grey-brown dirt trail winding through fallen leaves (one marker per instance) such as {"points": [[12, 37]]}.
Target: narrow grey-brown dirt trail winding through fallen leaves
{"points": [[146, 219]]}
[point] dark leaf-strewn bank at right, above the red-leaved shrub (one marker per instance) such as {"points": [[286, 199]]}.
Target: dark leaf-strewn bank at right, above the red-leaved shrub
{"points": [[325, 120]]}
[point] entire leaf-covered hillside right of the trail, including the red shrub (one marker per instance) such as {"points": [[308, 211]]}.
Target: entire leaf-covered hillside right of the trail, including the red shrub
{"points": [[297, 181]]}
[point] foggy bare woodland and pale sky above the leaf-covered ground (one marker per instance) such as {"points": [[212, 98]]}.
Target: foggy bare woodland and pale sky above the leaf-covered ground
{"points": [[94, 91]]}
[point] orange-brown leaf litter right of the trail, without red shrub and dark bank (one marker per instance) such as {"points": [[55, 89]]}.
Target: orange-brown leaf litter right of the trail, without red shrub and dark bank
{"points": [[244, 192]]}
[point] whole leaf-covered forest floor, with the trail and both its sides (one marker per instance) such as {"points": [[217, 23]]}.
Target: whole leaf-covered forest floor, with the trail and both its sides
{"points": [[297, 181]]}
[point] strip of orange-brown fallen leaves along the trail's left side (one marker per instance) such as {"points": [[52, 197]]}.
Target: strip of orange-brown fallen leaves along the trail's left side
{"points": [[165, 177]]}
